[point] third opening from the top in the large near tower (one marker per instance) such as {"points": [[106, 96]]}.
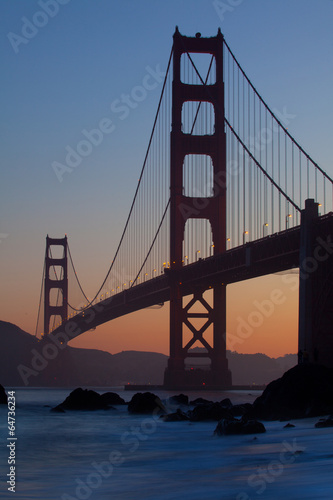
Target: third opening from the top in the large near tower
{"points": [[198, 176]]}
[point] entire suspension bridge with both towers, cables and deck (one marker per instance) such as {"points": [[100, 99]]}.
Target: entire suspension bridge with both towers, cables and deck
{"points": [[225, 194]]}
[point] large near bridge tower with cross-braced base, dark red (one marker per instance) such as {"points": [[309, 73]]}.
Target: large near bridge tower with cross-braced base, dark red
{"points": [[214, 145]]}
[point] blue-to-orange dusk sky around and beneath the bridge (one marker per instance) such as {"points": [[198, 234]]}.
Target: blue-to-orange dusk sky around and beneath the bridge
{"points": [[64, 78]]}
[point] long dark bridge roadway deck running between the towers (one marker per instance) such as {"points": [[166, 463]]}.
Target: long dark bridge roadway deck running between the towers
{"points": [[272, 254]]}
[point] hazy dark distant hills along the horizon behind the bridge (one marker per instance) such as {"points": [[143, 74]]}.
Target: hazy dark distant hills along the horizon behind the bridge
{"points": [[24, 362]]}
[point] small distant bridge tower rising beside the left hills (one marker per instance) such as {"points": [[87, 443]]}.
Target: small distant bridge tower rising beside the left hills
{"points": [[60, 283]]}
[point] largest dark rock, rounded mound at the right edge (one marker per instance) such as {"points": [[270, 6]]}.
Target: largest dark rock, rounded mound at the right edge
{"points": [[303, 391]]}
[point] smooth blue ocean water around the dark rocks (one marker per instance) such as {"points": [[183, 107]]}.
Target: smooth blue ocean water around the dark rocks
{"points": [[114, 455]]}
